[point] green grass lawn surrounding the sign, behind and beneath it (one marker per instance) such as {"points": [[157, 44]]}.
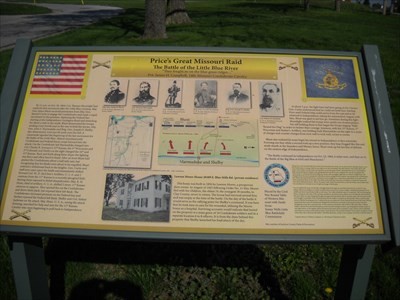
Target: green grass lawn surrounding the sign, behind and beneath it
{"points": [[186, 271]]}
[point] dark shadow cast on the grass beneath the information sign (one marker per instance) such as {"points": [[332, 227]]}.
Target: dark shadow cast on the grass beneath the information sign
{"points": [[61, 251]]}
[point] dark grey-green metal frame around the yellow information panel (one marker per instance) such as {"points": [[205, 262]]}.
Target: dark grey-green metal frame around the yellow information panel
{"points": [[379, 118]]}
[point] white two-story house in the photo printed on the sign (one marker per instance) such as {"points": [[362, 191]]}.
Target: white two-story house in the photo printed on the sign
{"points": [[149, 194]]}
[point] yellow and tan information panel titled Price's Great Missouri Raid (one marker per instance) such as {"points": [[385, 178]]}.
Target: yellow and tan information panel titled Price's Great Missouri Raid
{"points": [[194, 142]]}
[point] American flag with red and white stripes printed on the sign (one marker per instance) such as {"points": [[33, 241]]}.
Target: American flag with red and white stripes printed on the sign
{"points": [[59, 75]]}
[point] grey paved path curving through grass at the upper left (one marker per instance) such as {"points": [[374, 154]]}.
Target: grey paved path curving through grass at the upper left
{"points": [[63, 17]]}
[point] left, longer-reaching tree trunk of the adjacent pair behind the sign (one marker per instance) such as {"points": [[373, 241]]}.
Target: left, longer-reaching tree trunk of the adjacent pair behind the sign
{"points": [[154, 23]]}
